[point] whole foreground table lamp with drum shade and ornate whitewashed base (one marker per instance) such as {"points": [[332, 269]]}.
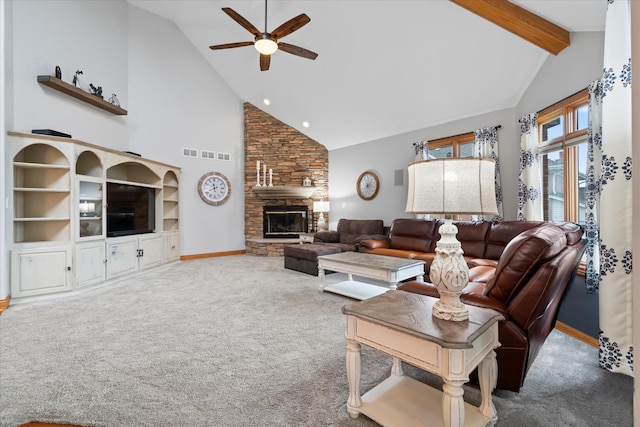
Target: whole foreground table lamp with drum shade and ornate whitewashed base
{"points": [[451, 187]]}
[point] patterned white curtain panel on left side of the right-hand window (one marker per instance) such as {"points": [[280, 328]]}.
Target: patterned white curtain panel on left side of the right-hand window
{"points": [[530, 176]]}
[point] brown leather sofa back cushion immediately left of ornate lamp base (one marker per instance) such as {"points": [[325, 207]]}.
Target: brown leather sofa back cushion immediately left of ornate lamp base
{"points": [[413, 235]]}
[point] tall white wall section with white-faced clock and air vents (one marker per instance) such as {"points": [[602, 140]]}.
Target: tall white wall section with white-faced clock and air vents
{"points": [[177, 100]]}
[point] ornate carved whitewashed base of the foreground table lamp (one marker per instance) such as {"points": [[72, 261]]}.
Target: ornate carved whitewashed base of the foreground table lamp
{"points": [[450, 274]]}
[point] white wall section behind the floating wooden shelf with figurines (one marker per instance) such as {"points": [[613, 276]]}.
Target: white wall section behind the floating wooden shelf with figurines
{"points": [[76, 35]]}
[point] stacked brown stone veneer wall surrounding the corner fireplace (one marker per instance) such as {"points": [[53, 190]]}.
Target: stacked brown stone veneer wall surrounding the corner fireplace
{"points": [[292, 156]]}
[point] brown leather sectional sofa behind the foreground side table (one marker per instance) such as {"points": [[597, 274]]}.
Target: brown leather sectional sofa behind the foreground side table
{"points": [[520, 269]]}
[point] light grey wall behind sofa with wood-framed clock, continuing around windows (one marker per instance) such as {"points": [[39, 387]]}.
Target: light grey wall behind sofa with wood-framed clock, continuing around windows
{"points": [[560, 76]]}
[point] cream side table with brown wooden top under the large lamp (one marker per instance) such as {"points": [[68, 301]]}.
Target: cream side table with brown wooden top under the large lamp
{"points": [[400, 324]]}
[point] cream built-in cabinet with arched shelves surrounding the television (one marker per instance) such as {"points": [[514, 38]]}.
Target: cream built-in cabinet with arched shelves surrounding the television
{"points": [[58, 227]]}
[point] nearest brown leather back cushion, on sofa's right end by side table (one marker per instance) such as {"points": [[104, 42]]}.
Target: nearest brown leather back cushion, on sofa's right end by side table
{"points": [[522, 257]]}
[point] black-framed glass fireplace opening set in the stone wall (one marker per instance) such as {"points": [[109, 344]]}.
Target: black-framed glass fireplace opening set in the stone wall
{"points": [[284, 221]]}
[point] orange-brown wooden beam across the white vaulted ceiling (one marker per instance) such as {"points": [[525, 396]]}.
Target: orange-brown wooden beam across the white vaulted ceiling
{"points": [[520, 22]]}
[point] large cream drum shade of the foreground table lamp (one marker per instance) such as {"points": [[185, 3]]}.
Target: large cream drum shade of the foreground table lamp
{"points": [[452, 186]]}
